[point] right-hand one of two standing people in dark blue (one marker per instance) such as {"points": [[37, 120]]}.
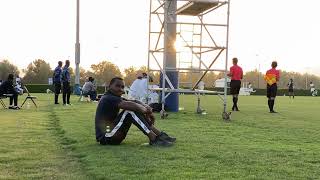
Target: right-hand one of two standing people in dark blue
{"points": [[66, 84]]}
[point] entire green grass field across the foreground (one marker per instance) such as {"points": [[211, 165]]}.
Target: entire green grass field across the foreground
{"points": [[56, 142]]}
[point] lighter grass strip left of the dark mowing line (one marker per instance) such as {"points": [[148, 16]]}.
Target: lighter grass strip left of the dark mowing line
{"points": [[29, 148]]}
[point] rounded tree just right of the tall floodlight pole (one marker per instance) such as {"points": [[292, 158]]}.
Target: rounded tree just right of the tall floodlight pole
{"points": [[105, 71]]}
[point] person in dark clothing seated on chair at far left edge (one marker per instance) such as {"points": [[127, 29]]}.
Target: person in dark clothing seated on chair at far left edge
{"points": [[7, 87]]}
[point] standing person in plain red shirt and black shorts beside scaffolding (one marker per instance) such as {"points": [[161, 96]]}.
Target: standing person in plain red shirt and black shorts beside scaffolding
{"points": [[236, 75]]}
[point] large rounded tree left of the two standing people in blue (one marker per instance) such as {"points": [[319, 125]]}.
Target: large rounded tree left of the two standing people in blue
{"points": [[37, 72]]}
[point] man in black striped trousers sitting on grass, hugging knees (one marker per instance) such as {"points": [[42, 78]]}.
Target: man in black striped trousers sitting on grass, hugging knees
{"points": [[112, 127]]}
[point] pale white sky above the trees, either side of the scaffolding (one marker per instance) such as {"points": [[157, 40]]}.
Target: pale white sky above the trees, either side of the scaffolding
{"points": [[260, 31]]}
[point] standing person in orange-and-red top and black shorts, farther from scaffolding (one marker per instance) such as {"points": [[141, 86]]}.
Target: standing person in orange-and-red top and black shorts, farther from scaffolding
{"points": [[272, 77]]}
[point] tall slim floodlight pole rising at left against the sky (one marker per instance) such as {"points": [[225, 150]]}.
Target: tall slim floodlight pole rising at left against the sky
{"points": [[77, 53]]}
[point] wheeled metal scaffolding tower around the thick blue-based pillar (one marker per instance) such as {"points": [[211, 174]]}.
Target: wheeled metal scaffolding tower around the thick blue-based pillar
{"points": [[190, 37]]}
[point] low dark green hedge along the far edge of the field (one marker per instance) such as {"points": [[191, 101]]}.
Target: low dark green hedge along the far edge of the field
{"points": [[42, 88]]}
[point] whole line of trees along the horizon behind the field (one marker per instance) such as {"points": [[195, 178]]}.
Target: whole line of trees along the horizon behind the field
{"points": [[38, 72]]}
